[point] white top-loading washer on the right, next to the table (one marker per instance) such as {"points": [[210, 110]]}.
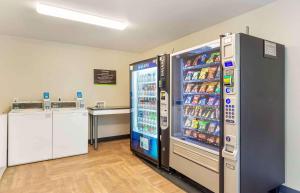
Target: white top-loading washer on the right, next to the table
{"points": [[70, 132]]}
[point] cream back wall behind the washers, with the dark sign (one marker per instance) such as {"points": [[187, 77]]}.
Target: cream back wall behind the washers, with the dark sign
{"points": [[28, 67]]}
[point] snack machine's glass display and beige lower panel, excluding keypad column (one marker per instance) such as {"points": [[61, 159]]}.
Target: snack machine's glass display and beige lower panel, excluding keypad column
{"points": [[195, 143]]}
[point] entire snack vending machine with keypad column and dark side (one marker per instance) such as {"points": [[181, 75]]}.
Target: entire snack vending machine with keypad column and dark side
{"points": [[227, 114]]}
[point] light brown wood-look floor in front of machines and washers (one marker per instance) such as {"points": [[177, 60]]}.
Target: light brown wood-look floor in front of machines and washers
{"points": [[111, 169]]}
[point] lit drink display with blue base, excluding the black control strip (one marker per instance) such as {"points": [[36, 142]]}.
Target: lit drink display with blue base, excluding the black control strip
{"points": [[144, 97]]}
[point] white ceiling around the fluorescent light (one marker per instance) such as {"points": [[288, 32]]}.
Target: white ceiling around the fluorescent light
{"points": [[151, 22]]}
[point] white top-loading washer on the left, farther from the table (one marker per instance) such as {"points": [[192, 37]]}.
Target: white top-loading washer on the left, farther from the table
{"points": [[29, 136]]}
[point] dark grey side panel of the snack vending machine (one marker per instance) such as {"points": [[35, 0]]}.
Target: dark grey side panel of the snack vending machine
{"points": [[262, 115]]}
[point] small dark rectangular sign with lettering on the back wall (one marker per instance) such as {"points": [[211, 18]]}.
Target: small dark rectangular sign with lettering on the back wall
{"points": [[105, 77]]}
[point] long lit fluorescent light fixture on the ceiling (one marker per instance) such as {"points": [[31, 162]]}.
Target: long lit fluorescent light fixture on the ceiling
{"points": [[80, 17]]}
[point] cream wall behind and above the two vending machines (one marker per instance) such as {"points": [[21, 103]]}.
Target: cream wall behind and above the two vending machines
{"points": [[280, 22]]}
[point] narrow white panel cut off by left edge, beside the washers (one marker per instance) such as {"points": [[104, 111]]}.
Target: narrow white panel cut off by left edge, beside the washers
{"points": [[3, 143]]}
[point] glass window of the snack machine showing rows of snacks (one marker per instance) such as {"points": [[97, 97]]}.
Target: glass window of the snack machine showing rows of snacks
{"points": [[196, 96]]}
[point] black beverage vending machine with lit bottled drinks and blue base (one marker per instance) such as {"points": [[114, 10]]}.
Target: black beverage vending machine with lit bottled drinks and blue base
{"points": [[149, 100]]}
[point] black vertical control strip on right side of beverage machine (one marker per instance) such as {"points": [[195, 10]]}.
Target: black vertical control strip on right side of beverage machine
{"points": [[164, 91]]}
